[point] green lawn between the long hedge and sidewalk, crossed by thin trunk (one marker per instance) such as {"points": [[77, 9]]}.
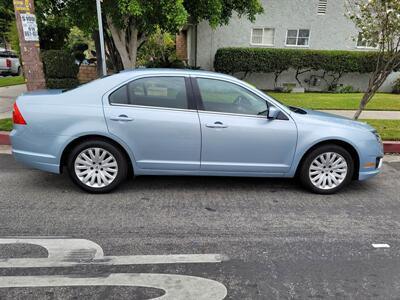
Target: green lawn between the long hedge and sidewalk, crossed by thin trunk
{"points": [[351, 101]]}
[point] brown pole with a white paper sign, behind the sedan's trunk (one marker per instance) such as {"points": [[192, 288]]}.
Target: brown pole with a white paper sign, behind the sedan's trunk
{"points": [[29, 44]]}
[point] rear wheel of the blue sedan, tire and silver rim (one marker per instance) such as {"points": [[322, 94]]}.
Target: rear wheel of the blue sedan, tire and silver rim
{"points": [[94, 173]]}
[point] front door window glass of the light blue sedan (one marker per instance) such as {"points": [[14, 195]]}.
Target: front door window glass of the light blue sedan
{"points": [[226, 97]]}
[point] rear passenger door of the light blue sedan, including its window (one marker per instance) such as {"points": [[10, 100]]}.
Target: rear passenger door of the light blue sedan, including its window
{"points": [[156, 118]]}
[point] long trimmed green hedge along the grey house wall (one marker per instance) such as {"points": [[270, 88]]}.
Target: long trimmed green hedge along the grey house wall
{"points": [[333, 64]]}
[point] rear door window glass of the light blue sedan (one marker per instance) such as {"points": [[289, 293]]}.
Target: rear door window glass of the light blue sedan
{"points": [[168, 92]]}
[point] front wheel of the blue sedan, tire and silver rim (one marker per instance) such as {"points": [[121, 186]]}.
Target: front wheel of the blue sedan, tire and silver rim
{"points": [[327, 169]]}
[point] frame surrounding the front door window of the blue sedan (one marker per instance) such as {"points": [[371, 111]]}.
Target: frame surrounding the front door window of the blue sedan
{"points": [[199, 99]]}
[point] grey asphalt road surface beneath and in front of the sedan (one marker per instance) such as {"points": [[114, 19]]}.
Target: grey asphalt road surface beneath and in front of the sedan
{"points": [[278, 241]]}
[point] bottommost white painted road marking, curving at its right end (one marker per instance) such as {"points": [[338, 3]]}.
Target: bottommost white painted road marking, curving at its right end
{"points": [[176, 287]]}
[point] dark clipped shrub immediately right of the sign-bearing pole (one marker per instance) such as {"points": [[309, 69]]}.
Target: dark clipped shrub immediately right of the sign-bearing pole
{"points": [[60, 69]]}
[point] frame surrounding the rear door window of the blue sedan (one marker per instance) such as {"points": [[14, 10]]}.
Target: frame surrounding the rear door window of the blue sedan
{"points": [[191, 102]]}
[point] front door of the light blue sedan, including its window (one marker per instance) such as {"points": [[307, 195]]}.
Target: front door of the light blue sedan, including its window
{"points": [[236, 134]]}
